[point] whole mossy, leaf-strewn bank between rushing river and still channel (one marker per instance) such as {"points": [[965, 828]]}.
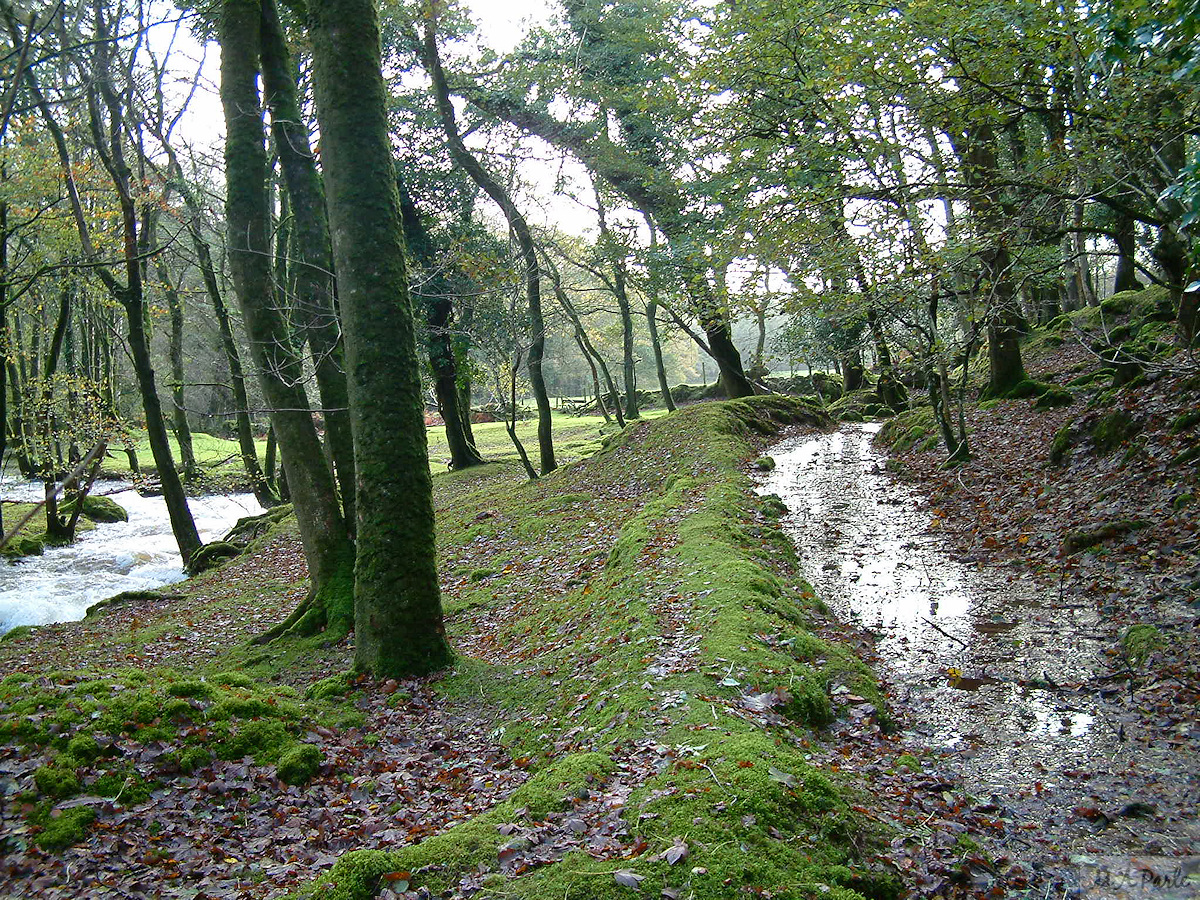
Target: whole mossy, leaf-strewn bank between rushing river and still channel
{"points": [[631, 712]]}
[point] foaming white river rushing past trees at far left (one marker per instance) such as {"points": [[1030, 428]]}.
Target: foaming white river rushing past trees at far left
{"points": [[111, 559]]}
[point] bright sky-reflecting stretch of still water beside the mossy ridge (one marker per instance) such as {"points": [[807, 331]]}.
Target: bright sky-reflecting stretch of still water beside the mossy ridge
{"points": [[967, 649]]}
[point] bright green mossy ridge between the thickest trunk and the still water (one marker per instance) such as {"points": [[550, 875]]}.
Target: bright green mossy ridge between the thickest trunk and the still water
{"points": [[691, 549]]}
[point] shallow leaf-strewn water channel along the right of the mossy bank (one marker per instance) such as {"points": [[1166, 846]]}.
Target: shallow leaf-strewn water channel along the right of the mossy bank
{"points": [[1001, 679]]}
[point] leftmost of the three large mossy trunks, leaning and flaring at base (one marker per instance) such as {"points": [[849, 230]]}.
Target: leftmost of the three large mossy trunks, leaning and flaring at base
{"points": [[327, 544]]}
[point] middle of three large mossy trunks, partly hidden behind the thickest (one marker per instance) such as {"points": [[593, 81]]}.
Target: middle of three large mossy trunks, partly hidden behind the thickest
{"points": [[311, 271]]}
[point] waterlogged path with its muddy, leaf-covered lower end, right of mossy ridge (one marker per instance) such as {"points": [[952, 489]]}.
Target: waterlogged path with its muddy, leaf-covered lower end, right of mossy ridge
{"points": [[1048, 769]]}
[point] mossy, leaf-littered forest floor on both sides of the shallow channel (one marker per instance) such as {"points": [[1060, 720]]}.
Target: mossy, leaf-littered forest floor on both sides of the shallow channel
{"points": [[650, 700]]}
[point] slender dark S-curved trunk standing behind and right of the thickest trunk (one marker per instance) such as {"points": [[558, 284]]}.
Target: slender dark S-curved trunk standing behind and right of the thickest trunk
{"points": [[525, 242]]}
